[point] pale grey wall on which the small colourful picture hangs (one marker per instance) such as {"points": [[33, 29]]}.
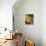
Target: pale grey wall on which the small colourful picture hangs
{"points": [[29, 31]]}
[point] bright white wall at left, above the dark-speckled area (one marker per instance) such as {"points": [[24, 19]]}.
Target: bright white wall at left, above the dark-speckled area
{"points": [[6, 13]]}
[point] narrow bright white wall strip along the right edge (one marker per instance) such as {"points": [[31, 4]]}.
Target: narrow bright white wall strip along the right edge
{"points": [[43, 22]]}
